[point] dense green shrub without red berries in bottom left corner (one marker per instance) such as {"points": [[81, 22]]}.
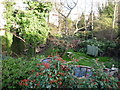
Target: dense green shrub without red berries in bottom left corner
{"points": [[15, 69]]}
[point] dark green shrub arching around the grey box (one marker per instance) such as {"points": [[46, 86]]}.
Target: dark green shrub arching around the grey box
{"points": [[104, 46]]}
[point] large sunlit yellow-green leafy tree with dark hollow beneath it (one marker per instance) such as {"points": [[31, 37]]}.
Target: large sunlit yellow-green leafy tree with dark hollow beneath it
{"points": [[28, 26]]}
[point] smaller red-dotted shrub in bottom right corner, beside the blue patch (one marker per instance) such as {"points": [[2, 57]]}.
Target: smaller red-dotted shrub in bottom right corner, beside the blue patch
{"points": [[100, 79]]}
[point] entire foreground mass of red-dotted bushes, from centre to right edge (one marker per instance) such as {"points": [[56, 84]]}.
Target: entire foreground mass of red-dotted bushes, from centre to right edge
{"points": [[56, 73]]}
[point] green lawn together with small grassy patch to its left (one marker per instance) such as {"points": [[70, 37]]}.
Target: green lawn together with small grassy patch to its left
{"points": [[83, 58]]}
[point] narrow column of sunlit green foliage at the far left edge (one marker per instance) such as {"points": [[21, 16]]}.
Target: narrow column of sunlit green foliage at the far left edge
{"points": [[9, 18]]}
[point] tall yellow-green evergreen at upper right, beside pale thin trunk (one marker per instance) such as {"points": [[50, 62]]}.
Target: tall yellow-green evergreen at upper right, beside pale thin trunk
{"points": [[105, 22]]}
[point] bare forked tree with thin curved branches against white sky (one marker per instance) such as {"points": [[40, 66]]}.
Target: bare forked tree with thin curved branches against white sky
{"points": [[67, 5]]}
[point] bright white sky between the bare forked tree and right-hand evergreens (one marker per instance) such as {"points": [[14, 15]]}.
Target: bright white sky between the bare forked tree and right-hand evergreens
{"points": [[85, 6]]}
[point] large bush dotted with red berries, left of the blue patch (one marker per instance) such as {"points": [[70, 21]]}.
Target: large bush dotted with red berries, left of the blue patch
{"points": [[56, 73]]}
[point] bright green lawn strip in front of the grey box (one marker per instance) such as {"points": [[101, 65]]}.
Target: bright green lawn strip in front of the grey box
{"points": [[87, 60]]}
